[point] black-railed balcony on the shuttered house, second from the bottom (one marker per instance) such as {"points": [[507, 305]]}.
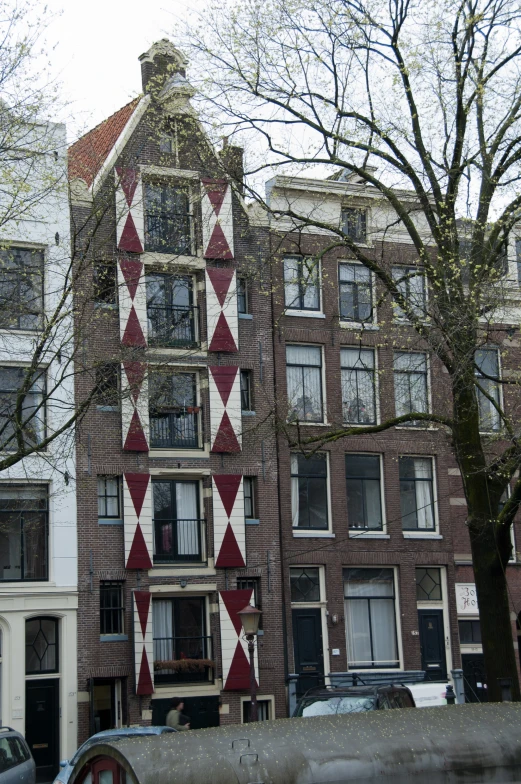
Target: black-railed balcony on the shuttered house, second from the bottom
{"points": [[180, 541]]}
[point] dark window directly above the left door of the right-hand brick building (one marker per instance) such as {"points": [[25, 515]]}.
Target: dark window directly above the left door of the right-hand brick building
{"points": [[309, 492]]}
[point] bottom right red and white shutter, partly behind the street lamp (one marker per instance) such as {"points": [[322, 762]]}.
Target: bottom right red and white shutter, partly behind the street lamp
{"points": [[234, 649]]}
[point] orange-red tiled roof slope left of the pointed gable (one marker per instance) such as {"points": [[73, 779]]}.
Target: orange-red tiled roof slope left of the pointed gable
{"points": [[89, 153]]}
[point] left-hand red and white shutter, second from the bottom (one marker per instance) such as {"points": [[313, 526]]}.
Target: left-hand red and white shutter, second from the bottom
{"points": [[137, 509]]}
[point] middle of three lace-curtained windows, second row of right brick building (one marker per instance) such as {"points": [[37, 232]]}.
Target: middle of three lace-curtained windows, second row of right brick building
{"points": [[358, 378]]}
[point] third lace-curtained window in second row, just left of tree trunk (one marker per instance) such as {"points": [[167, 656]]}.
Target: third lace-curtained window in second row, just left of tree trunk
{"points": [[410, 384]]}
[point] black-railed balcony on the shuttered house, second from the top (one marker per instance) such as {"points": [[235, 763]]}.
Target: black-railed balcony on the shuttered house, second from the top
{"points": [[173, 326]]}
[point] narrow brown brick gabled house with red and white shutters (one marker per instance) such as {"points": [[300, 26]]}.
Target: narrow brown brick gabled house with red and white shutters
{"points": [[177, 467]]}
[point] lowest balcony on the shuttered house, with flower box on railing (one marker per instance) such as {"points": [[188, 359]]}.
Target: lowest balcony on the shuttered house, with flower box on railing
{"points": [[183, 660]]}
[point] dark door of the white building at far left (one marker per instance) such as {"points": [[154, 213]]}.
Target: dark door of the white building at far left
{"points": [[42, 708]]}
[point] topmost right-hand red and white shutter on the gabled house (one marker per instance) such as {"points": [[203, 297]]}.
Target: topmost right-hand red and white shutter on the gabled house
{"points": [[217, 219]]}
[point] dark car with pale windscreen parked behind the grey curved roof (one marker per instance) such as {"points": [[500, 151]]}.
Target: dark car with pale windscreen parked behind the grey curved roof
{"points": [[353, 699]]}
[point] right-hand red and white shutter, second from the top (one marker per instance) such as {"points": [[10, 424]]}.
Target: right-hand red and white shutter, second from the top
{"points": [[221, 309]]}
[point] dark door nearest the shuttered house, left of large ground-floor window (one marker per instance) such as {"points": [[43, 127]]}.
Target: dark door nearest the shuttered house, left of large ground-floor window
{"points": [[308, 647]]}
